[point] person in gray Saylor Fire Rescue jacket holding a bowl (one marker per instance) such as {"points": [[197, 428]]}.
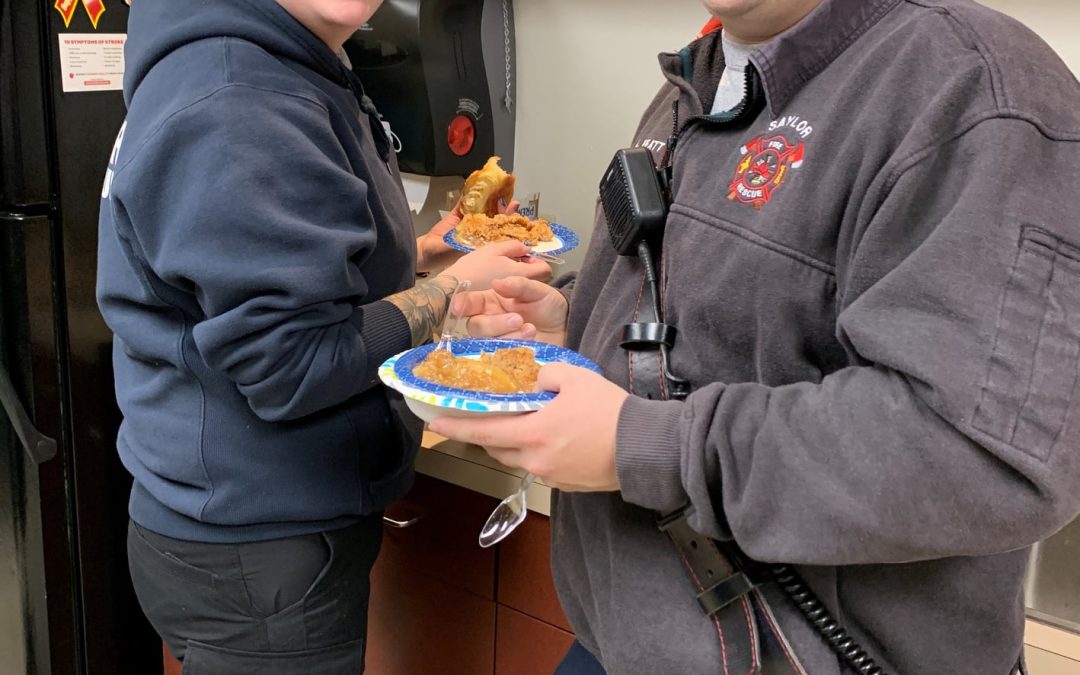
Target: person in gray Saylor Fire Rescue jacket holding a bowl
{"points": [[873, 263]]}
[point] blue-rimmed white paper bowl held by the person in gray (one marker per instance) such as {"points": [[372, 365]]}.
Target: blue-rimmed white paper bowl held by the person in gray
{"points": [[429, 400]]}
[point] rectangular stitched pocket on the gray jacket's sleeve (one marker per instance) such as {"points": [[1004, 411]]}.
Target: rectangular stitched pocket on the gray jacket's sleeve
{"points": [[1032, 376]]}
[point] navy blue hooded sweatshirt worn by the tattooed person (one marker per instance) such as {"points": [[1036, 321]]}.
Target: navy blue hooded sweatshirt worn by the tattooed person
{"points": [[252, 220]]}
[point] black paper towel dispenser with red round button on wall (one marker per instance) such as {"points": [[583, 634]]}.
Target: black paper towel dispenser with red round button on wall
{"points": [[442, 73]]}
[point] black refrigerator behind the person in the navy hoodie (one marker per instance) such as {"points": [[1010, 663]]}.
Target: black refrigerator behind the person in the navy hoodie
{"points": [[66, 604]]}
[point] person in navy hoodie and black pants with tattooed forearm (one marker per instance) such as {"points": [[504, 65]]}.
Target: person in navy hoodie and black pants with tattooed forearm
{"points": [[258, 264]]}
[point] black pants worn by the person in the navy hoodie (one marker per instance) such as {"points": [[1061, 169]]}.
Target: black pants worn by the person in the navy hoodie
{"points": [[295, 606]]}
